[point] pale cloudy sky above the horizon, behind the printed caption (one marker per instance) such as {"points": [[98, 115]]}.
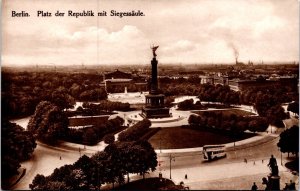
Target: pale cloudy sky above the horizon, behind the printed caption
{"points": [[194, 31]]}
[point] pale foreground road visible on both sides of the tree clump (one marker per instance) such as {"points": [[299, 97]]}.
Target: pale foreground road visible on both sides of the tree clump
{"points": [[201, 174]]}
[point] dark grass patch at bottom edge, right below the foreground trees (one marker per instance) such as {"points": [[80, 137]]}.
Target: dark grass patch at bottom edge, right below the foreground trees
{"points": [[146, 184]]}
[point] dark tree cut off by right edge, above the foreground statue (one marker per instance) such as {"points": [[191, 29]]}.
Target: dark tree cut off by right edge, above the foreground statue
{"points": [[289, 140]]}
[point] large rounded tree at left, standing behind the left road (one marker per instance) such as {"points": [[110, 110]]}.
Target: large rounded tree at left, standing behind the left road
{"points": [[48, 123]]}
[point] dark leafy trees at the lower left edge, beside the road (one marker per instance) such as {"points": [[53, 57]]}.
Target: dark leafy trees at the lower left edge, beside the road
{"points": [[16, 145]]}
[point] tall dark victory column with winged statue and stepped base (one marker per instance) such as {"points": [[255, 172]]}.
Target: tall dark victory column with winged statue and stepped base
{"points": [[154, 106]]}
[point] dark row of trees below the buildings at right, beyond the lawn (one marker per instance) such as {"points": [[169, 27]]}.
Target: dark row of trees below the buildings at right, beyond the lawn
{"points": [[267, 102]]}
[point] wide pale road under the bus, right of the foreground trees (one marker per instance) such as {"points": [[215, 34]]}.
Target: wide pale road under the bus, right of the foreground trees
{"points": [[230, 172]]}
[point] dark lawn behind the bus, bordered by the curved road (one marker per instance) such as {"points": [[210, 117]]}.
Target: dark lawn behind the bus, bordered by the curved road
{"points": [[179, 137]]}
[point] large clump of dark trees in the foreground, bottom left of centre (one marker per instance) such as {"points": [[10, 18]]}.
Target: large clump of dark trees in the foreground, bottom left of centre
{"points": [[108, 166]]}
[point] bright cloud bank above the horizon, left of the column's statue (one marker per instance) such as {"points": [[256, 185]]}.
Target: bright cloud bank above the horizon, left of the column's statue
{"points": [[91, 45]]}
